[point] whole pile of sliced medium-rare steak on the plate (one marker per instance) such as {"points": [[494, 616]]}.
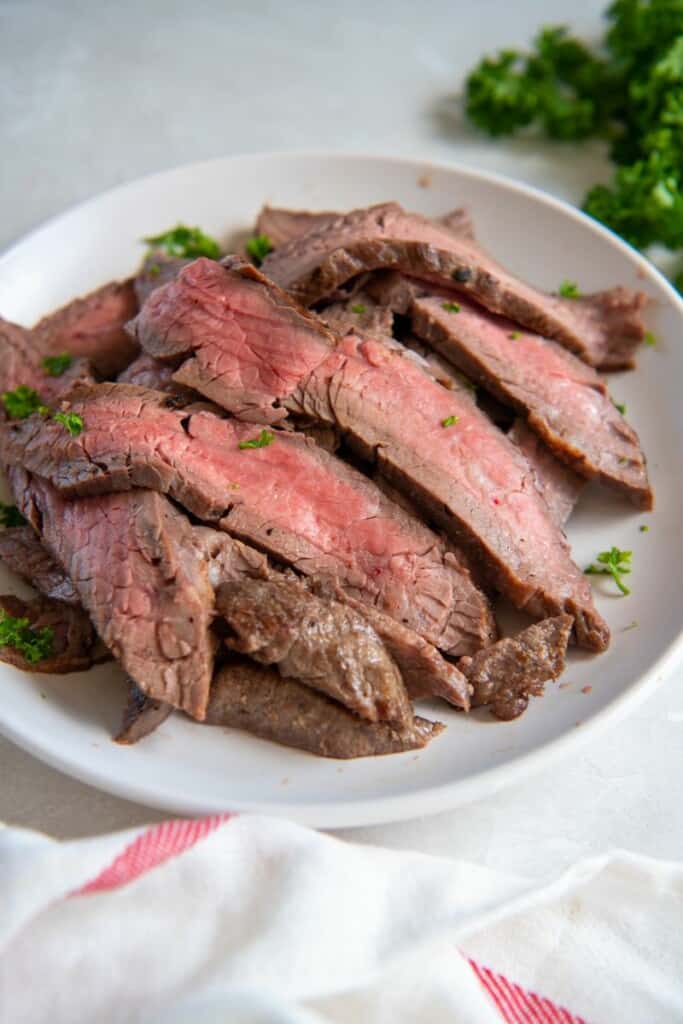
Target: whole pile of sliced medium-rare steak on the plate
{"points": [[292, 521]]}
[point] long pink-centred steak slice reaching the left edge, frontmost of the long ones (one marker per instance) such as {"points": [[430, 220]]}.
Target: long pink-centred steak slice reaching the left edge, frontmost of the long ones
{"points": [[290, 498]]}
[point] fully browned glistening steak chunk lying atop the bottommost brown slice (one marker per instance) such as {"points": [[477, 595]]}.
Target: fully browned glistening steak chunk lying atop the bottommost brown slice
{"points": [[325, 645]]}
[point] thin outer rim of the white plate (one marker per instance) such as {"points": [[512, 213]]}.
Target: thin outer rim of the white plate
{"points": [[436, 799]]}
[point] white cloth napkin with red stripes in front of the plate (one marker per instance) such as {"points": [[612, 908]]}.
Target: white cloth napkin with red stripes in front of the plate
{"points": [[250, 920]]}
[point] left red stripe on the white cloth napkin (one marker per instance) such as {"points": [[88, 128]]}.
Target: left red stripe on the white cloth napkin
{"points": [[152, 848]]}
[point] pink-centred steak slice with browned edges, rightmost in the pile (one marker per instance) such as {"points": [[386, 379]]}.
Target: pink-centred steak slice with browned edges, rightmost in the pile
{"points": [[564, 401]]}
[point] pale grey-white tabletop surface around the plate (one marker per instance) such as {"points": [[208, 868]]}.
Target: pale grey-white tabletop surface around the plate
{"points": [[95, 94]]}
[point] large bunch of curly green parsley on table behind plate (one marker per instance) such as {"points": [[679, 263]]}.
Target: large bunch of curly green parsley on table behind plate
{"points": [[627, 90]]}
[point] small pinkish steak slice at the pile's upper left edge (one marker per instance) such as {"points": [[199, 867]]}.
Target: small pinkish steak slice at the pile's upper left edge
{"points": [[94, 327]]}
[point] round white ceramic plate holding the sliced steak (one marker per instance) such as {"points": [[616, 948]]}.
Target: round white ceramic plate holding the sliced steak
{"points": [[68, 721]]}
